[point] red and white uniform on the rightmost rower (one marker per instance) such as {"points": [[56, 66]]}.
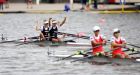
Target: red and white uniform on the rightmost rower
{"points": [[117, 50]]}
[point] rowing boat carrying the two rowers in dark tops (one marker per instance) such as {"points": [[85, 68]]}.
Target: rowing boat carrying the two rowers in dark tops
{"points": [[36, 40]]}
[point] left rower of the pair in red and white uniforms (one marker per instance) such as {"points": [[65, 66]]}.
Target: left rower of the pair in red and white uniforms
{"points": [[97, 42]]}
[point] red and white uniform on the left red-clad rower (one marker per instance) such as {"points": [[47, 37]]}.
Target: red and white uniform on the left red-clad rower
{"points": [[98, 39]]}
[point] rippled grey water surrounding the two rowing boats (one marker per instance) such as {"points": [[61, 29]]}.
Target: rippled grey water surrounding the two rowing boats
{"points": [[31, 59]]}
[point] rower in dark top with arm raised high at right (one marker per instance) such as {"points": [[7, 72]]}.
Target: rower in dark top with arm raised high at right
{"points": [[54, 30]]}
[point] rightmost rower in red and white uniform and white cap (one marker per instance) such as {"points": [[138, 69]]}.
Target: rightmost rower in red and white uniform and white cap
{"points": [[117, 43]]}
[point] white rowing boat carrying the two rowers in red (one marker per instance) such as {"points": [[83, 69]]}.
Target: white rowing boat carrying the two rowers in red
{"points": [[99, 59]]}
